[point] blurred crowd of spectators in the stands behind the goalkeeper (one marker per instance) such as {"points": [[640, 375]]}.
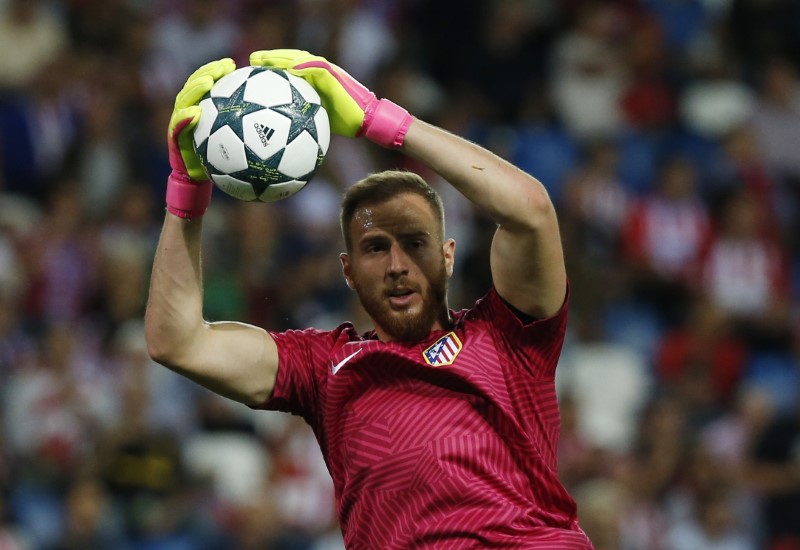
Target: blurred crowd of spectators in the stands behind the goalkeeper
{"points": [[666, 131]]}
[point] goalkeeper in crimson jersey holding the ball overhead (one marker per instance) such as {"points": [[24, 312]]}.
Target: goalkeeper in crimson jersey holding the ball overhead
{"points": [[439, 427]]}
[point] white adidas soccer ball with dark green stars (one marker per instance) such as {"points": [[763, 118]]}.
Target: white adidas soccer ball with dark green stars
{"points": [[262, 133]]}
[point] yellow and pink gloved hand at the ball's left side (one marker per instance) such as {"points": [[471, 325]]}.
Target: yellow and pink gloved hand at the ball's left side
{"points": [[188, 186]]}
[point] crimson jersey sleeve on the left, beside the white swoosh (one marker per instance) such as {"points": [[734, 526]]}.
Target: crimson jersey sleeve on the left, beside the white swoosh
{"points": [[302, 360]]}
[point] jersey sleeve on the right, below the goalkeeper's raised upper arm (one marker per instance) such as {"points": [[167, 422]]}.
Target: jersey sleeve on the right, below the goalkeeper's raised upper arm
{"points": [[534, 346]]}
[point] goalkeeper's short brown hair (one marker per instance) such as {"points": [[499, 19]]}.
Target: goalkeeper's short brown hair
{"points": [[382, 186]]}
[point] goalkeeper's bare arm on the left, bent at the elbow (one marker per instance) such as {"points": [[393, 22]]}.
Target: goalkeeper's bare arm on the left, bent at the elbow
{"points": [[233, 359]]}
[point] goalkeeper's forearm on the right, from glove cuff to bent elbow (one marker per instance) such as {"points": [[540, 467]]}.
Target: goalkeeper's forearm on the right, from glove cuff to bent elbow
{"points": [[510, 196]]}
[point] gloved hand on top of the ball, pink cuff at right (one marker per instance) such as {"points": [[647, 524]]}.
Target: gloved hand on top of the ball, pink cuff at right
{"points": [[353, 110]]}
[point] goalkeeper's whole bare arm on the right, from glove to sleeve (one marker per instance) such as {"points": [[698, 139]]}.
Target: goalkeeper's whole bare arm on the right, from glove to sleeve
{"points": [[527, 259]]}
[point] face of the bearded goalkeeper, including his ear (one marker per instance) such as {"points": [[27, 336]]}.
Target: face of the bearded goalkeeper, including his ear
{"points": [[399, 267]]}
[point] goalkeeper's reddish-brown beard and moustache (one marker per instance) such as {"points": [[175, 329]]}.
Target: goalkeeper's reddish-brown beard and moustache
{"points": [[407, 326]]}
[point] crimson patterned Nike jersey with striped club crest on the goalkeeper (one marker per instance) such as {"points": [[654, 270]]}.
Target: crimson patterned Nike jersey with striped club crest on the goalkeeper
{"points": [[449, 443]]}
